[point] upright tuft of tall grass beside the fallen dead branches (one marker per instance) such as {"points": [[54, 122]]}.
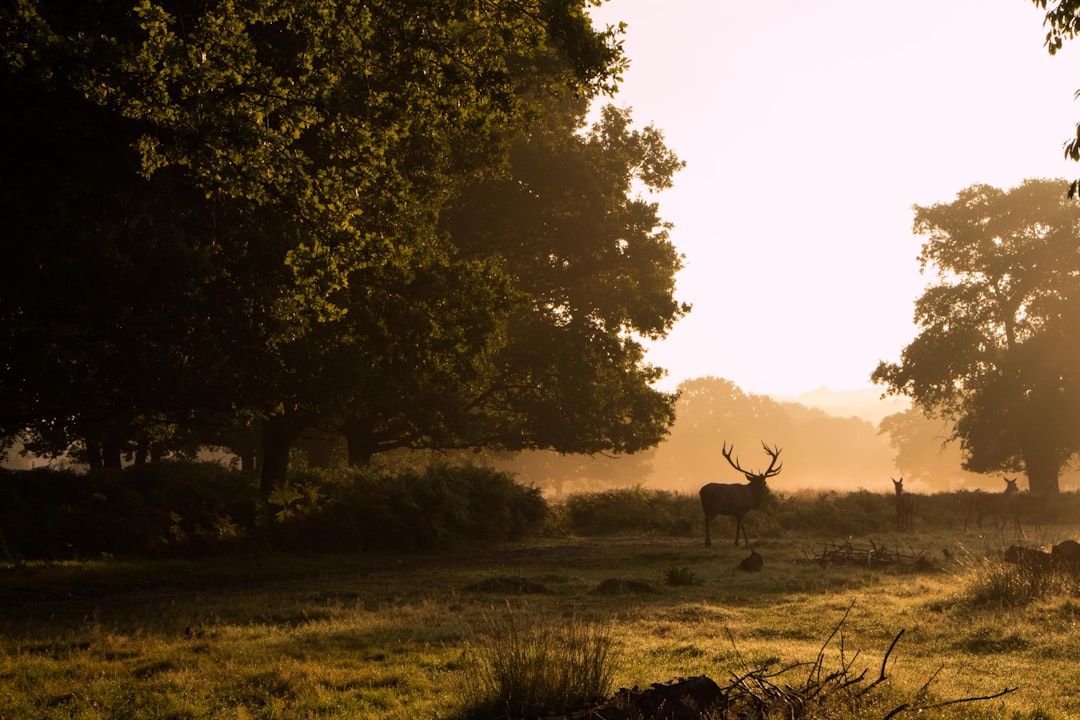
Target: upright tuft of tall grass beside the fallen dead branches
{"points": [[530, 667]]}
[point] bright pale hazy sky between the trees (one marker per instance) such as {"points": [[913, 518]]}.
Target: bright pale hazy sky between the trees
{"points": [[811, 128]]}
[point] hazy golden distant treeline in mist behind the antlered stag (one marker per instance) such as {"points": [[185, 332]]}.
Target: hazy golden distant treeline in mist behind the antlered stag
{"points": [[821, 451]]}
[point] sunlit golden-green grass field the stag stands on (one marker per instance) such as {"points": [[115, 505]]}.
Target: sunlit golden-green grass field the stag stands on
{"points": [[386, 636]]}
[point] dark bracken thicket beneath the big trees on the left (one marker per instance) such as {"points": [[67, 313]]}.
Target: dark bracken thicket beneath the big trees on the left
{"points": [[177, 509]]}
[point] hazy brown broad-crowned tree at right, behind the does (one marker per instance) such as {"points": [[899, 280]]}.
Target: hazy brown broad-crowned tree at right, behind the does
{"points": [[998, 355]]}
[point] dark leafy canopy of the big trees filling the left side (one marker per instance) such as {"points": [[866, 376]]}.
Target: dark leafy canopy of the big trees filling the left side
{"points": [[382, 218]]}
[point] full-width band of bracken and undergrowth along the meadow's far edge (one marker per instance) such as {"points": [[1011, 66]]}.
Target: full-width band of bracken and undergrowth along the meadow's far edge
{"points": [[198, 510]]}
